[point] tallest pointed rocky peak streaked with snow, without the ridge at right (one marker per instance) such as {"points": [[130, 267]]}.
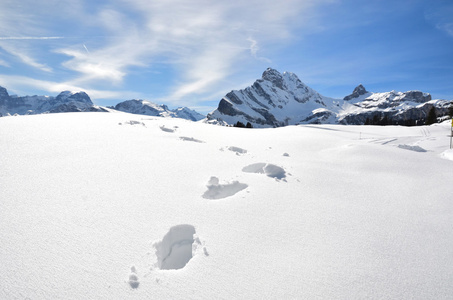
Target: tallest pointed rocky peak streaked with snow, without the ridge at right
{"points": [[272, 101]]}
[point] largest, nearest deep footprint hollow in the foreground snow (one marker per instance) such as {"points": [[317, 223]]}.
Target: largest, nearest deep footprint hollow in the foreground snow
{"points": [[175, 249]]}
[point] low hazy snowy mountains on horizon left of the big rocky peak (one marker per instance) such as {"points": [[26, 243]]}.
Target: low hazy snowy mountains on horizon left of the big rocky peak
{"points": [[80, 102]]}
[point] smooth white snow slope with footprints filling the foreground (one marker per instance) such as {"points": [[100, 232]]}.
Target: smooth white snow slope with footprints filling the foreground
{"points": [[122, 206]]}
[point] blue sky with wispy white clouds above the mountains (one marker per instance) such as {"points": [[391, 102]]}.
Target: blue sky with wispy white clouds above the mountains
{"points": [[191, 53]]}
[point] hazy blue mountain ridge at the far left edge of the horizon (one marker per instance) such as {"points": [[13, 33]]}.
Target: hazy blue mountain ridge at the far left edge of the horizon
{"points": [[29, 105]]}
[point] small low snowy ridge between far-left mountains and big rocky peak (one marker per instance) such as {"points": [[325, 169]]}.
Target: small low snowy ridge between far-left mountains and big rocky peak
{"points": [[144, 107]]}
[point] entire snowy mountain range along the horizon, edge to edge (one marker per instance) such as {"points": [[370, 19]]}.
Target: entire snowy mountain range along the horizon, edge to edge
{"points": [[275, 100]]}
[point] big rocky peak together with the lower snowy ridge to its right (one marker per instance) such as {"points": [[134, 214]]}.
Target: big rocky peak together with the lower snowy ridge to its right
{"points": [[282, 99]]}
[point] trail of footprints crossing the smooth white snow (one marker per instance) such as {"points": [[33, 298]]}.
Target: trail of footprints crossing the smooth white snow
{"points": [[181, 243]]}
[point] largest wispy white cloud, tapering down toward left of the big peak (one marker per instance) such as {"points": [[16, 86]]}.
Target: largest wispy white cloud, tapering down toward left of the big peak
{"points": [[203, 41]]}
